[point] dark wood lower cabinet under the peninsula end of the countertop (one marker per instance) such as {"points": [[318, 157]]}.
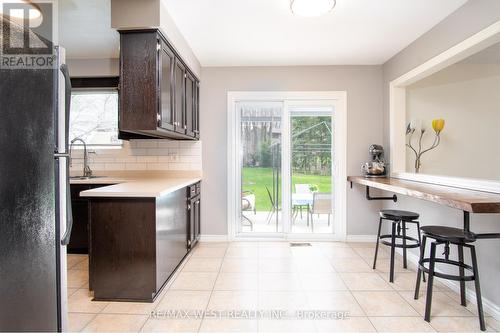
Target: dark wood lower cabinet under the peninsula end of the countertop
{"points": [[136, 245]]}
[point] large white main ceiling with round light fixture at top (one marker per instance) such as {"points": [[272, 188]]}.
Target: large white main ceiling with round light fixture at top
{"points": [[266, 33]]}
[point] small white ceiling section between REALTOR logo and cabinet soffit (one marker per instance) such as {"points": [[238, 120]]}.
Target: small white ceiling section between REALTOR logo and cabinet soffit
{"points": [[85, 29]]}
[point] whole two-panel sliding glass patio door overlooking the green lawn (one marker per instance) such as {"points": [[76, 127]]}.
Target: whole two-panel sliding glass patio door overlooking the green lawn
{"points": [[285, 178]]}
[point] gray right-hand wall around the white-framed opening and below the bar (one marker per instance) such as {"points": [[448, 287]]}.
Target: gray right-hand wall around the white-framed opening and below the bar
{"points": [[474, 16]]}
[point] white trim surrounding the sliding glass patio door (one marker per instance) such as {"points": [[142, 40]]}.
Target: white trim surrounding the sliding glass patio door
{"points": [[339, 99]]}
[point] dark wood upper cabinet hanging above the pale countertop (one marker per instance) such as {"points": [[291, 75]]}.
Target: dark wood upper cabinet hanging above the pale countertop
{"points": [[158, 92]]}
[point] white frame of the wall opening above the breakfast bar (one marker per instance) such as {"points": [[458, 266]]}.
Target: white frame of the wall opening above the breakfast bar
{"points": [[398, 122]]}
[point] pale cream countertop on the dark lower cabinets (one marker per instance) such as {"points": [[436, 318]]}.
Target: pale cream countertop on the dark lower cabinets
{"points": [[137, 185]]}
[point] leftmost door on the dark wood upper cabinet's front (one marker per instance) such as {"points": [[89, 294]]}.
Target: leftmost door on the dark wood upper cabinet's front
{"points": [[166, 102]]}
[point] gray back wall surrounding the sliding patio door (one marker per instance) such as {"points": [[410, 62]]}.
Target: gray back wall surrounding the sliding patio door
{"points": [[364, 106]]}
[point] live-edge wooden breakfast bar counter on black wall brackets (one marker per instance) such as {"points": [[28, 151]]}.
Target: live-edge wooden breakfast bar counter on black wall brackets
{"points": [[469, 201]]}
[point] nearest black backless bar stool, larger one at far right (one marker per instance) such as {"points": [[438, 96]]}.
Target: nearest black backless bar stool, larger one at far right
{"points": [[449, 236]]}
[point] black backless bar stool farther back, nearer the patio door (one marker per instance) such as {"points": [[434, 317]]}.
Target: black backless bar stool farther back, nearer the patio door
{"points": [[399, 219]]}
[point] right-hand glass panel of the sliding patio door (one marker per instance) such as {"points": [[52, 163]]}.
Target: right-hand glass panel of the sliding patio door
{"points": [[311, 168]]}
